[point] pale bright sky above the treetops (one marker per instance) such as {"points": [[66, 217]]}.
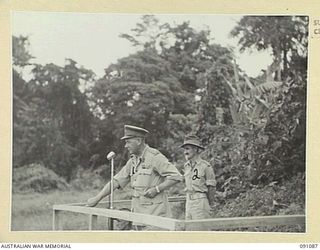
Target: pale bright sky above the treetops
{"points": [[93, 41]]}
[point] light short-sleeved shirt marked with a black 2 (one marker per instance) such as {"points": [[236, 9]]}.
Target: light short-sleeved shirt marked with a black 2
{"points": [[199, 176]]}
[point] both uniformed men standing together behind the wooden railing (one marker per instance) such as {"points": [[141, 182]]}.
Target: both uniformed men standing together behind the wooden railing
{"points": [[151, 174]]}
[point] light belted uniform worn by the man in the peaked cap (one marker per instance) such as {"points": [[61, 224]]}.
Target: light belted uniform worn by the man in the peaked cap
{"points": [[148, 170]]}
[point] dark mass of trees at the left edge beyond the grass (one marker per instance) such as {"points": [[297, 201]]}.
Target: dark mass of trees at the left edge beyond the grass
{"points": [[51, 117]]}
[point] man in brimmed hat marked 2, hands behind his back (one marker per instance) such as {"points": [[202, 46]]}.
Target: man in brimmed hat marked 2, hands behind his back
{"points": [[199, 179]]}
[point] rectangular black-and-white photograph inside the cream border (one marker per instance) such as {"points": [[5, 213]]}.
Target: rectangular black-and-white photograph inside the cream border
{"points": [[159, 122]]}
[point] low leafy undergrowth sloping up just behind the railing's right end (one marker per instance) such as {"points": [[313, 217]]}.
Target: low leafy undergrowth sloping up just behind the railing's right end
{"points": [[273, 199]]}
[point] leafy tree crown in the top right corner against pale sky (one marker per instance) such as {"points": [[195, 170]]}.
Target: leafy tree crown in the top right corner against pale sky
{"points": [[286, 36]]}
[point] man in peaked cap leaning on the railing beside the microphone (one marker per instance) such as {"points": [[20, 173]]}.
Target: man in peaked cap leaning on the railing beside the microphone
{"points": [[150, 174]]}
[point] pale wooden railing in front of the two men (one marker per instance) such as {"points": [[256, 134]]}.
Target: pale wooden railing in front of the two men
{"points": [[169, 223]]}
